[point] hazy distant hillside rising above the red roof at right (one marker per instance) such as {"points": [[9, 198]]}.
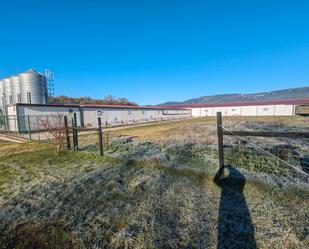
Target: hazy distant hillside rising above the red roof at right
{"points": [[291, 93]]}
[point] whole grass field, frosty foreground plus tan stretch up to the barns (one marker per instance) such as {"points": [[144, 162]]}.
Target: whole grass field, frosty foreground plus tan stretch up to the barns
{"points": [[154, 188]]}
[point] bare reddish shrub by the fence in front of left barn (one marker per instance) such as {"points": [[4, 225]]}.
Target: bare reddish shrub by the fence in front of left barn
{"points": [[54, 125]]}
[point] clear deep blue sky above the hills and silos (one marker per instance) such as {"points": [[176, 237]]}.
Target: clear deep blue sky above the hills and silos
{"points": [[152, 51]]}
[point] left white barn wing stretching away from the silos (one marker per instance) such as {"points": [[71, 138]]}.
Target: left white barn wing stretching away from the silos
{"points": [[20, 115]]}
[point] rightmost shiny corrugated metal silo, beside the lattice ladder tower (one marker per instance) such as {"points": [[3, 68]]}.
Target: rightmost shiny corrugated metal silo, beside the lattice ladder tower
{"points": [[33, 87]]}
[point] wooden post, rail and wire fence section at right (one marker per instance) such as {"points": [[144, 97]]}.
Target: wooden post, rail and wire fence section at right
{"points": [[279, 156]]}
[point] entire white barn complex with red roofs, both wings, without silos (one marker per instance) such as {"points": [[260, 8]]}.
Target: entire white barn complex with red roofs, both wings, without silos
{"points": [[113, 115]]}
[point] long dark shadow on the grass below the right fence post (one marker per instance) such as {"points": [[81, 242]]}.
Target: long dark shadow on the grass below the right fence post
{"points": [[235, 229]]}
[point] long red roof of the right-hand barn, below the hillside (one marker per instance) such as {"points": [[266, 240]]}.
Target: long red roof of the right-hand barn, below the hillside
{"points": [[251, 103]]}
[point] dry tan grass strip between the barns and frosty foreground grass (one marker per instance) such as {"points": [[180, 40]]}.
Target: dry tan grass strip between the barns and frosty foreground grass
{"points": [[200, 130]]}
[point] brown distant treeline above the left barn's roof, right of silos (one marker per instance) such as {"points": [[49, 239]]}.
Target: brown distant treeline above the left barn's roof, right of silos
{"points": [[108, 100]]}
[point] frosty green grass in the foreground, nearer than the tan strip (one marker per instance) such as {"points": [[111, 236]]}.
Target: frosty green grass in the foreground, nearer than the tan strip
{"points": [[143, 195]]}
